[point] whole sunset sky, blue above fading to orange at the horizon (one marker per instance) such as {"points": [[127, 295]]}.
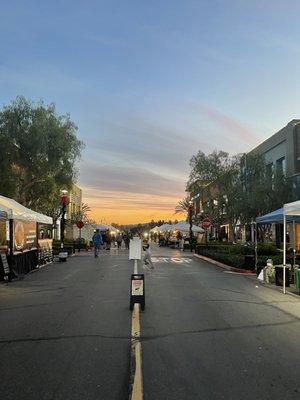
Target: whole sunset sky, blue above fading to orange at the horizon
{"points": [[149, 83]]}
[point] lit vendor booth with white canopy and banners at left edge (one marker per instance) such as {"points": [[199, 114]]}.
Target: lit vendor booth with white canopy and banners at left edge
{"points": [[26, 236]]}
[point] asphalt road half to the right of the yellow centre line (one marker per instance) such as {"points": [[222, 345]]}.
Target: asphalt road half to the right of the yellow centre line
{"points": [[207, 334]]}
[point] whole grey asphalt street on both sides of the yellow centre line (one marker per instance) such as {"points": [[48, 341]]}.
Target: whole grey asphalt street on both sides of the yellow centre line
{"points": [[205, 333]]}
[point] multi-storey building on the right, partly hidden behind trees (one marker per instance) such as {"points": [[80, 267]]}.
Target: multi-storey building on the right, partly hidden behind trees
{"points": [[281, 152]]}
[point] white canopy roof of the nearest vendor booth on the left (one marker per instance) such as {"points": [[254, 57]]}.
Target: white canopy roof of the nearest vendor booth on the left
{"points": [[15, 210]]}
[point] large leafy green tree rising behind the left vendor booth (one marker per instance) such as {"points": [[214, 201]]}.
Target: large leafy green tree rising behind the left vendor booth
{"points": [[39, 156]]}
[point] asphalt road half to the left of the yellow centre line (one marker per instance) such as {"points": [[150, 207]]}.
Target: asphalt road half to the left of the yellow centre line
{"points": [[65, 331]]}
